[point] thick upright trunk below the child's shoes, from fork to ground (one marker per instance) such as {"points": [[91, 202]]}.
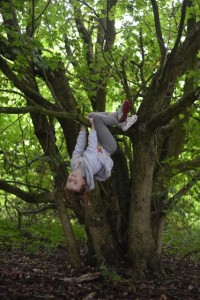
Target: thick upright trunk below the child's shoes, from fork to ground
{"points": [[142, 249]]}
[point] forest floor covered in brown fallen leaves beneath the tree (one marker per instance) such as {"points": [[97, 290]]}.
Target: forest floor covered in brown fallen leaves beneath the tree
{"points": [[47, 275]]}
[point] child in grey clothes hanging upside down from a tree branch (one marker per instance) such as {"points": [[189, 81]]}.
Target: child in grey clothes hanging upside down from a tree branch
{"points": [[94, 161]]}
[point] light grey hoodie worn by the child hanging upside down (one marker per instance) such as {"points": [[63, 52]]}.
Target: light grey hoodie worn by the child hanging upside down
{"points": [[95, 161]]}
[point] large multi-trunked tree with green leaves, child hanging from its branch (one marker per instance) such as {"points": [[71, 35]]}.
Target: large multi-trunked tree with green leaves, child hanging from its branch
{"points": [[61, 59]]}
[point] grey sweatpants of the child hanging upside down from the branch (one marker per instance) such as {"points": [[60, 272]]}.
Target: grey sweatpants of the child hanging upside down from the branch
{"points": [[101, 121]]}
